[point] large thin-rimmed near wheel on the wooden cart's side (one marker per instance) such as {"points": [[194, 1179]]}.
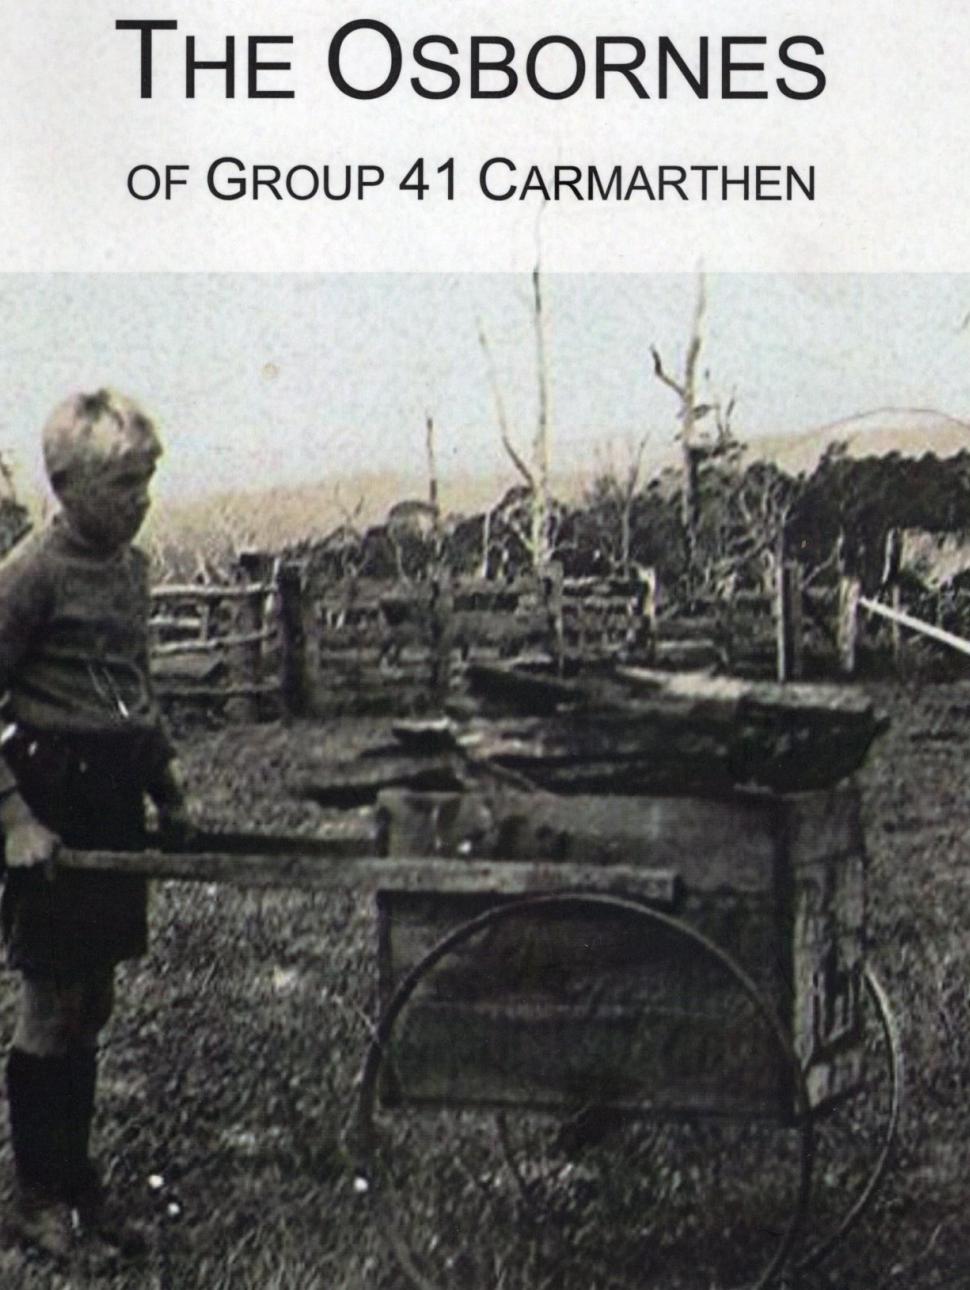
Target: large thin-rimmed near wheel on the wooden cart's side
{"points": [[585, 1198]]}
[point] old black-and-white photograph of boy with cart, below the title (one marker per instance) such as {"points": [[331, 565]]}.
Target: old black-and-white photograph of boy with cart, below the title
{"points": [[483, 781]]}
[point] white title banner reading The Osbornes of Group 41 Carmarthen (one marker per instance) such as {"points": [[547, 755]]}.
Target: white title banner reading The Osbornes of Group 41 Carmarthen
{"points": [[277, 136]]}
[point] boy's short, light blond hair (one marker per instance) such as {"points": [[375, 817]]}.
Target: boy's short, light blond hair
{"points": [[90, 432]]}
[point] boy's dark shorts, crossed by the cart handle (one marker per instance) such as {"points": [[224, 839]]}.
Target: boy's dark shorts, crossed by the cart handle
{"points": [[90, 791]]}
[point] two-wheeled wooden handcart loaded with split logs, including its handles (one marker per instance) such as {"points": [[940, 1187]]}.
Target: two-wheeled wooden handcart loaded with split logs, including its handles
{"points": [[626, 1038]]}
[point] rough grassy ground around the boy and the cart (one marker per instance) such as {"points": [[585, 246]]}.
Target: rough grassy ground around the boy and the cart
{"points": [[232, 1067]]}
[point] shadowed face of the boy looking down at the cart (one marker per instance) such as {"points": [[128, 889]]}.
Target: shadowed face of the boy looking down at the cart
{"points": [[108, 505]]}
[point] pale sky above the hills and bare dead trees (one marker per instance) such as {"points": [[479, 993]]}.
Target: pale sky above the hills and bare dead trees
{"points": [[265, 380]]}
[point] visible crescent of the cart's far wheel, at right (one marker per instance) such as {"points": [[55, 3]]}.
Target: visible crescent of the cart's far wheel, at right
{"points": [[855, 1141]]}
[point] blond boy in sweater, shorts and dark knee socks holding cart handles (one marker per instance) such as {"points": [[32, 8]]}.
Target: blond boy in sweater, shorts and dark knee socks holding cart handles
{"points": [[83, 744]]}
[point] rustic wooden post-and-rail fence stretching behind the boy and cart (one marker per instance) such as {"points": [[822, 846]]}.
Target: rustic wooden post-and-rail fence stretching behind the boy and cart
{"points": [[284, 642]]}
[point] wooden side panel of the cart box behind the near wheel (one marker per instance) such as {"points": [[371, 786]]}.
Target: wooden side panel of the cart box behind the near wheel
{"points": [[557, 1009]]}
